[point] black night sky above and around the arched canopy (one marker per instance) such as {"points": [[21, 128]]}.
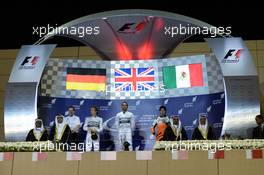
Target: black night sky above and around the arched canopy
{"points": [[17, 21]]}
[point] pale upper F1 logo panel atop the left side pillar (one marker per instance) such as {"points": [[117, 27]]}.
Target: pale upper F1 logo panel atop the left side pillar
{"points": [[30, 63]]}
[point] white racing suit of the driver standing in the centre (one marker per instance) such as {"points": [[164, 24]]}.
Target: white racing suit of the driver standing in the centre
{"points": [[125, 123]]}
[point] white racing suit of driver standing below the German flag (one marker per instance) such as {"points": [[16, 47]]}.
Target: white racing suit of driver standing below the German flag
{"points": [[95, 123]]}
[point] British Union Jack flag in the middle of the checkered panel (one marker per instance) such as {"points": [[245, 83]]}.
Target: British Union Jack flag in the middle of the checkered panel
{"points": [[134, 79]]}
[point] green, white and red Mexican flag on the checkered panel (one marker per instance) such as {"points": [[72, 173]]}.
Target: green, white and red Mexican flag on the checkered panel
{"points": [[183, 76]]}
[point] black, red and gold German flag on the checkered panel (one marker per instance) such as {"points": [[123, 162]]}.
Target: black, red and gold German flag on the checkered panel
{"points": [[86, 79]]}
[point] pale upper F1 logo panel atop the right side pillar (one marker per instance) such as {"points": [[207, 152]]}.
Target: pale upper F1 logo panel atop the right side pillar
{"points": [[233, 56]]}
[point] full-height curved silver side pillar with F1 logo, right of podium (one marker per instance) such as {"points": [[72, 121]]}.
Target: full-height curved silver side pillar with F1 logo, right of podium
{"points": [[240, 75]]}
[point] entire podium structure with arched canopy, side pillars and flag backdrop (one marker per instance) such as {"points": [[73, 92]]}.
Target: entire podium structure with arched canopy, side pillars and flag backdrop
{"points": [[134, 46]]}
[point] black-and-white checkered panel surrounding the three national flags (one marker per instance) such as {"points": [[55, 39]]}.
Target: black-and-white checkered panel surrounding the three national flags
{"points": [[53, 82]]}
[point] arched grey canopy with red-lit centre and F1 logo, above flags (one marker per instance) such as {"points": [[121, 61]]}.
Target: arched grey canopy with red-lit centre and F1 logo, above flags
{"points": [[129, 34]]}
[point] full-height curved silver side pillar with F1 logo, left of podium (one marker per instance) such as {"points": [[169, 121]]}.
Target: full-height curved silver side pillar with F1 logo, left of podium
{"points": [[20, 108]]}
